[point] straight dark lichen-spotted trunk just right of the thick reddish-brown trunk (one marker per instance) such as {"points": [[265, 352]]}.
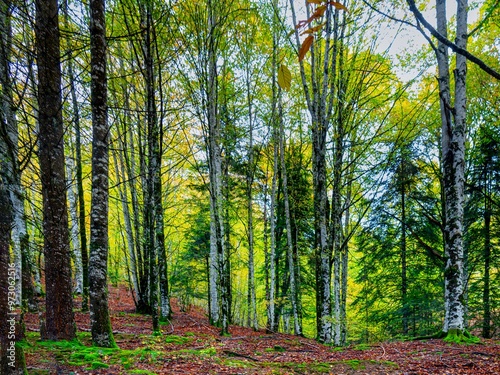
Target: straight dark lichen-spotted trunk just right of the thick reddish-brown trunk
{"points": [[100, 322]]}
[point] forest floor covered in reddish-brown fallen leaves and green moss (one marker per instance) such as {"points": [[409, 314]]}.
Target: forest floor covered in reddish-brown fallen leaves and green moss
{"points": [[189, 345]]}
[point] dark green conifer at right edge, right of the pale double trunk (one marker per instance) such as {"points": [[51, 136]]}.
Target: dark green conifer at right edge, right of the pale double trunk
{"points": [[483, 230]]}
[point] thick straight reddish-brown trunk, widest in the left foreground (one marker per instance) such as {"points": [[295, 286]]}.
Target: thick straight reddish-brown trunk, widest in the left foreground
{"points": [[59, 323]]}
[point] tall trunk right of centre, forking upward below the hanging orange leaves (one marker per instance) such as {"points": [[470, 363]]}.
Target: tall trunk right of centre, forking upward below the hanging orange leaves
{"points": [[318, 91]]}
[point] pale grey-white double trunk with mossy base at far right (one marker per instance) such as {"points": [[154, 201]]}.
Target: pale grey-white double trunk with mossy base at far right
{"points": [[453, 164]]}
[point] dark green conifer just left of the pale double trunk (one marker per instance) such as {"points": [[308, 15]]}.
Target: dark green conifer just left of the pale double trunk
{"points": [[400, 264]]}
